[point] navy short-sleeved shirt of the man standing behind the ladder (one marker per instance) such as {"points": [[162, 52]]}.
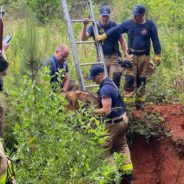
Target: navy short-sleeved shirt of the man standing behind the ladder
{"points": [[110, 45]]}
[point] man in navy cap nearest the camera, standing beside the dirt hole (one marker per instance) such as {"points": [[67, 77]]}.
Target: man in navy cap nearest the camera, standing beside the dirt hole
{"points": [[113, 110]]}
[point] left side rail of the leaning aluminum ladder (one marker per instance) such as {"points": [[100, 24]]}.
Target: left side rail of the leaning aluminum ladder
{"points": [[73, 45]]}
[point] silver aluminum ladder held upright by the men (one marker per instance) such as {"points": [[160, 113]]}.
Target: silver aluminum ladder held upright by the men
{"points": [[73, 43]]}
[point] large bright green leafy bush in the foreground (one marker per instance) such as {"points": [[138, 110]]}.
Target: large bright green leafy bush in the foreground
{"points": [[52, 143]]}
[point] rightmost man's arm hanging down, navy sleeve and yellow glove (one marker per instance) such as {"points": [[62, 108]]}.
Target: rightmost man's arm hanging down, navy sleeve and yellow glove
{"points": [[156, 44]]}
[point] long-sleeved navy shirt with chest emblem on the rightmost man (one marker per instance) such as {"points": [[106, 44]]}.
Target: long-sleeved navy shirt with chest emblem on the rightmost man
{"points": [[139, 35]]}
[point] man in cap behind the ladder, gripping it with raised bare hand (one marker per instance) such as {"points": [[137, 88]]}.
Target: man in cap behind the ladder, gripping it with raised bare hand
{"points": [[110, 46]]}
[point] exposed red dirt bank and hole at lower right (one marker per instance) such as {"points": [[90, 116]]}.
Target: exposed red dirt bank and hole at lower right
{"points": [[161, 161]]}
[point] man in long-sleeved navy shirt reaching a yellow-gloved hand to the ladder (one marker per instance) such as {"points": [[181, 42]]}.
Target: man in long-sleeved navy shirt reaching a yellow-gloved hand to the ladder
{"points": [[141, 31]]}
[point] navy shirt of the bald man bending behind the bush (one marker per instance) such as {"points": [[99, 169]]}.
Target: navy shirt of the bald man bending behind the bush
{"points": [[55, 67]]}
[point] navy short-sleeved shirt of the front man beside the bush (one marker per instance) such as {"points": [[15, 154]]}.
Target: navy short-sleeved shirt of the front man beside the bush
{"points": [[109, 90]]}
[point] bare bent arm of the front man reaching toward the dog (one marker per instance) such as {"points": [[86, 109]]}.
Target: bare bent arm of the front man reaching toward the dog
{"points": [[106, 107]]}
